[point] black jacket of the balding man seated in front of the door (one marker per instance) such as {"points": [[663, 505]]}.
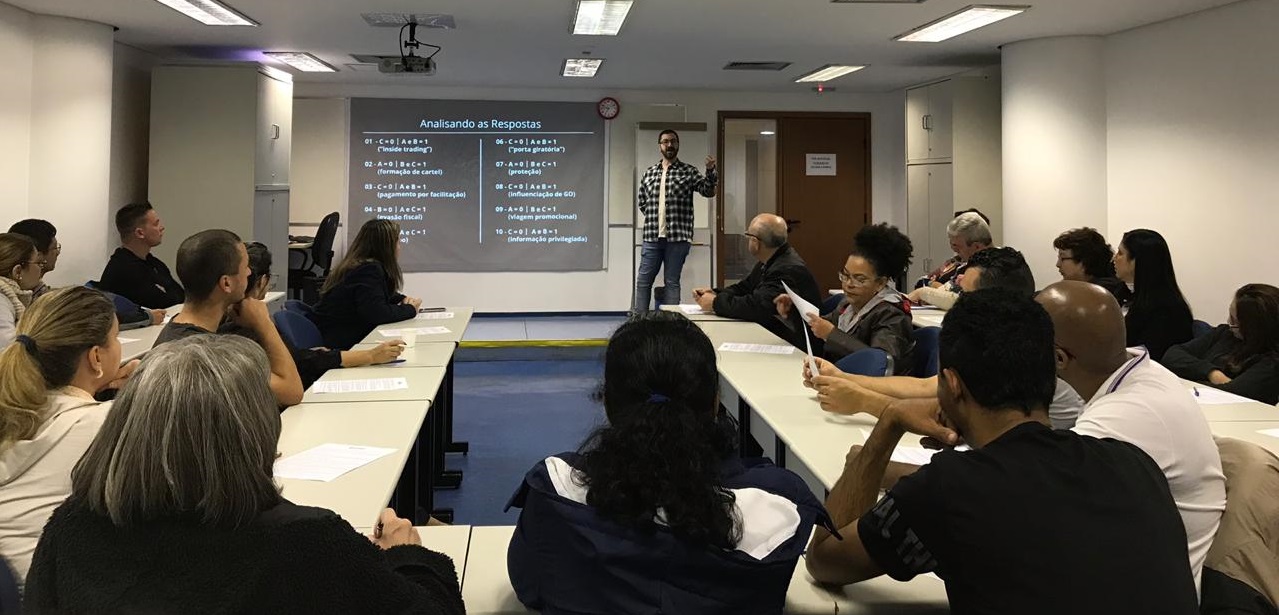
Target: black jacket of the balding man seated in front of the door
{"points": [[751, 300]]}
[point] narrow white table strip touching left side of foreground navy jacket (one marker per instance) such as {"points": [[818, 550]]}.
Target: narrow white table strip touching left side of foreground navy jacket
{"points": [[487, 588]]}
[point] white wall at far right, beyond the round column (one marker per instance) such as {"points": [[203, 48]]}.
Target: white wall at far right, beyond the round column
{"points": [[1194, 146]]}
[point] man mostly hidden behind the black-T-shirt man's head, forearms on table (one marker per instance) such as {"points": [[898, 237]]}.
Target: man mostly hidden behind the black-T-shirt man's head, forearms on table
{"points": [[989, 269]]}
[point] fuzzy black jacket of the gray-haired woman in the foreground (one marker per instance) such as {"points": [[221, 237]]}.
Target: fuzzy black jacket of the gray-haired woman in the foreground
{"points": [[292, 559]]}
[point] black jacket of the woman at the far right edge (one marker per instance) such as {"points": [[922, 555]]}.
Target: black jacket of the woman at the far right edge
{"points": [[1259, 379]]}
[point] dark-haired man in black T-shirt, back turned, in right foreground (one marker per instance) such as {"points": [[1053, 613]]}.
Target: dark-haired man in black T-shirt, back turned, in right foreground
{"points": [[1029, 508]]}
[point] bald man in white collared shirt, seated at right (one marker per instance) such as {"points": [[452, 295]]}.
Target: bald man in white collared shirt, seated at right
{"points": [[1134, 400]]}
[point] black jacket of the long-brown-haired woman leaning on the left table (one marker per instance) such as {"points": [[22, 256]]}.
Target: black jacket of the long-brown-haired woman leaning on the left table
{"points": [[365, 299]]}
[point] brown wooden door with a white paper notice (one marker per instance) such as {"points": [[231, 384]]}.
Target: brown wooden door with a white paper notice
{"points": [[824, 210]]}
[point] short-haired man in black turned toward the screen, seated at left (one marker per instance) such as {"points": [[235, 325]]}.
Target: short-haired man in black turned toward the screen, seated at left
{"points": [[134, 272]]}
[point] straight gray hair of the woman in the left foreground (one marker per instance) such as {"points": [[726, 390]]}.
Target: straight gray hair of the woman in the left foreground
{"points": [[194, 433]]}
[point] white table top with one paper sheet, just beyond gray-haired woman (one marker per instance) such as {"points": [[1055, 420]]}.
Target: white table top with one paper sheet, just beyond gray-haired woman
{"points": [[359, 495]]}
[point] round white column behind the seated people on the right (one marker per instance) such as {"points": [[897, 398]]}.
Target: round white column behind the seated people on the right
{"points": [[1055, 135]]}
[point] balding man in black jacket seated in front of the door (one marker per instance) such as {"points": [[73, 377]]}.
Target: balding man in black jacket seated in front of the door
{"points": [[751, 300]]}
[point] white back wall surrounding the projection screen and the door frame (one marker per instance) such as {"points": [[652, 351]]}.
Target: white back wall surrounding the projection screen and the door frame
{"points": [[609, 290]]}
